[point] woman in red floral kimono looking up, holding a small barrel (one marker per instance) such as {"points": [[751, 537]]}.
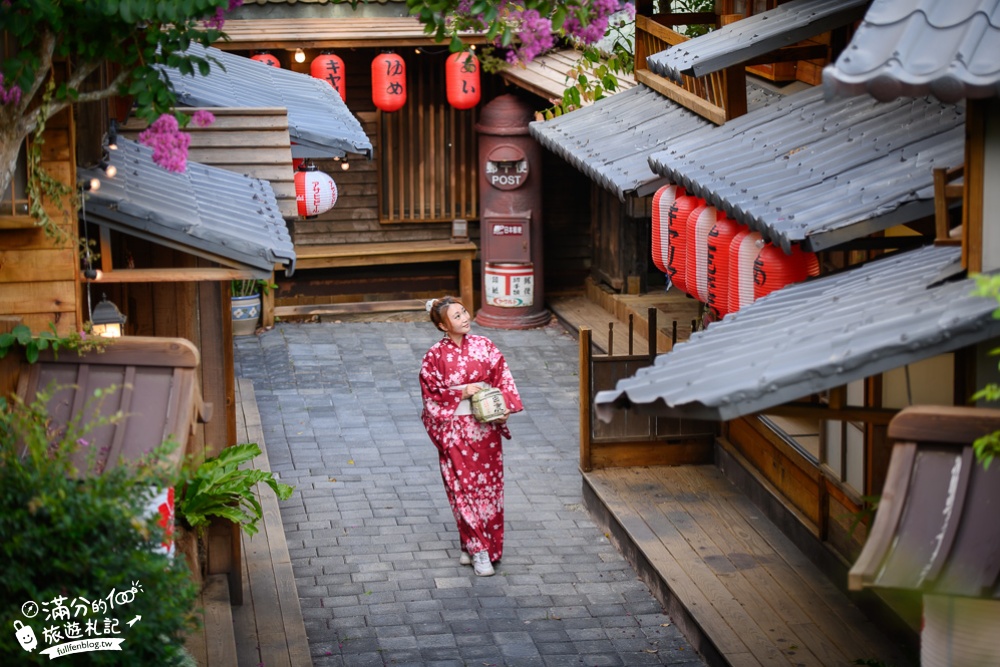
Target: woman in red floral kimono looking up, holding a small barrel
{"points": [[470, 452]]}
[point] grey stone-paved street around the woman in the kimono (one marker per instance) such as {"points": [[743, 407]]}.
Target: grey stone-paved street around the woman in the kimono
{"points": [[372, 539]]}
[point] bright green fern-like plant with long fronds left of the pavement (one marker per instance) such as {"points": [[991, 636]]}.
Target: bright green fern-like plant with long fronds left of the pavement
{"points": [[220, 487]]}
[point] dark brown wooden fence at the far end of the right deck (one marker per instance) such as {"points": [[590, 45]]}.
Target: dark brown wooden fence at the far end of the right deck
{"points": [[631, 438]]}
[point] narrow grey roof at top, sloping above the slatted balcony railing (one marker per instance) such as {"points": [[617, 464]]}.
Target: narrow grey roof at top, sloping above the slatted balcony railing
{"points": [[761, 33]]}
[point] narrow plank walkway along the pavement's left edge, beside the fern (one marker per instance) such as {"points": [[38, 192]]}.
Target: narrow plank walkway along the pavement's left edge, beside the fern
{"points": [[267, 629]]}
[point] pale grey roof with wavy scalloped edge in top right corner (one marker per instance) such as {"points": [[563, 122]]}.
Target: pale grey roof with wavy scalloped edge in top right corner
{"points": [[912, 48]]}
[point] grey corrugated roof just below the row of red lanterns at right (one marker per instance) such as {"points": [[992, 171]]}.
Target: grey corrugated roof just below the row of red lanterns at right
{"points": [[812, 336]]}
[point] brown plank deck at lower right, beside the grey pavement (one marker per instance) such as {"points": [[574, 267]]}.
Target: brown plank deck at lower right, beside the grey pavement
{"points": [[740, 591]]}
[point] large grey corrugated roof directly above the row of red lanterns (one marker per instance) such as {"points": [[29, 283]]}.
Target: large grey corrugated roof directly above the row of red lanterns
{"points": [[821, 173]]}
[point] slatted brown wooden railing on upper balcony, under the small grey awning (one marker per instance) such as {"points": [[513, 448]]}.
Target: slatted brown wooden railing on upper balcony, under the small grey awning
{"points": [[718, 97]]}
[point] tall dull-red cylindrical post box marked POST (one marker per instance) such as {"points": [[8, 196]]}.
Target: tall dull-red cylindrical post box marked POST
{"points": [[510, 210]]}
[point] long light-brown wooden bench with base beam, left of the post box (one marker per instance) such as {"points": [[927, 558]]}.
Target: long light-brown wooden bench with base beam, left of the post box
{"points": [[341, 255]]}
